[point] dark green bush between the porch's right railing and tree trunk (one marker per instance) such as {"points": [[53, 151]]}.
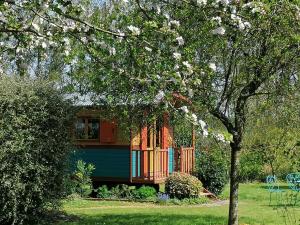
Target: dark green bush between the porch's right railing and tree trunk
{"points": [[212, 170]]}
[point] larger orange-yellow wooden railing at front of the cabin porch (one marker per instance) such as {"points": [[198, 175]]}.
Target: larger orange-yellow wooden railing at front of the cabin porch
{"points": [[149, 165]]}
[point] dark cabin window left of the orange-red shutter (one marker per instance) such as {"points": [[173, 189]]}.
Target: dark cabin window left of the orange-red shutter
{"points": [[87, 129]]}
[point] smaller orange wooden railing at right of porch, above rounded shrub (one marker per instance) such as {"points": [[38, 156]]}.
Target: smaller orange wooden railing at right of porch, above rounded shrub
{"points": [[185, 159]]}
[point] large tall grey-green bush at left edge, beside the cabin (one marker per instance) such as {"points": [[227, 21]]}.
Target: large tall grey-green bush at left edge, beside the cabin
{"points": [[35, 142]]}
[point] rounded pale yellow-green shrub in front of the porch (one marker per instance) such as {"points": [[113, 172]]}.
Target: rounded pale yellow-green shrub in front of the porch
{"points": [[182, 185]]}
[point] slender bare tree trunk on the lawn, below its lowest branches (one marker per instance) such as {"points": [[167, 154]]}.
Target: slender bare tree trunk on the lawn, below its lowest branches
{"points": [[234, 186]]}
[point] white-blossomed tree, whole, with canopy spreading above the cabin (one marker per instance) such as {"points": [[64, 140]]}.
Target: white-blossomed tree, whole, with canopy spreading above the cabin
{"points": [[212, 54]]}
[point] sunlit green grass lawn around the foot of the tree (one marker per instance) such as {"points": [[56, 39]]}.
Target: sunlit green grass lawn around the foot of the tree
{"points": [[253, 209]]}
